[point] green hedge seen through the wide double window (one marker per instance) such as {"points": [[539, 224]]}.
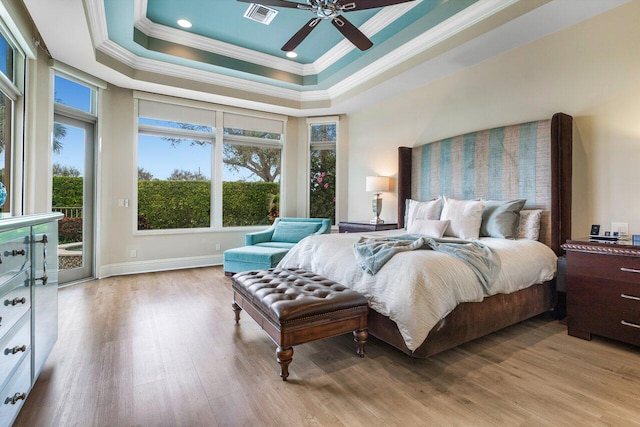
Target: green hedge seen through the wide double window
{"points": [[186, 204]]}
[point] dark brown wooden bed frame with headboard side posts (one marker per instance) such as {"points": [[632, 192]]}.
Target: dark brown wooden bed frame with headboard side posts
{"points": [[472, 320]]}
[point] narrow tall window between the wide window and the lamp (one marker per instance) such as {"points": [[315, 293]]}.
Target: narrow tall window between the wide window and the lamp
{"points": [[323, 138]]}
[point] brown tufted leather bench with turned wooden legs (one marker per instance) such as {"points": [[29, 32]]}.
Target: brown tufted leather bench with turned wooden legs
{"points": [[296, 306]]}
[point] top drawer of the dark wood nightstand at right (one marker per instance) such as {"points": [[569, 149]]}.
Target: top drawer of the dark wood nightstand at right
{"points": [[610, 267]]}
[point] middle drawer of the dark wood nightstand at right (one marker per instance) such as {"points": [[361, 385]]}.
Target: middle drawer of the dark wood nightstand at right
{"points": [[585, 291]]}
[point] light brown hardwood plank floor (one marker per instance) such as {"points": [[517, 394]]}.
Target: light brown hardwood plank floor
{"points": [[162, 349]]}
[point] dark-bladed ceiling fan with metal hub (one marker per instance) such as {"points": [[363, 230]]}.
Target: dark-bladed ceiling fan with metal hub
{"points": [[329, 9]]}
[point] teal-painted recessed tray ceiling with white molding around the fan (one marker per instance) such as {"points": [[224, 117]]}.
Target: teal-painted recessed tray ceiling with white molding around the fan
{"points": [[223, 21]]}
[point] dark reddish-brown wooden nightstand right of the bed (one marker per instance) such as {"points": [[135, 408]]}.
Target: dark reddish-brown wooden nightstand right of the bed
{"points": [[603, 290]]}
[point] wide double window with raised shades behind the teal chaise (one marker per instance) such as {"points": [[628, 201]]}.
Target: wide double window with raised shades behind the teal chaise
{"points": [[199, 167]]}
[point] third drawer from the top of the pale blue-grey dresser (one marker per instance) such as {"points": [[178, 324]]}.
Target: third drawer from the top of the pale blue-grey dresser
{"points": [[13, 347]]}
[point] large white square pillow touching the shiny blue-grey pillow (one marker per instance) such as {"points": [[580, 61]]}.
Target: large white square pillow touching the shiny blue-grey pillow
{"points": [[465, 217]]}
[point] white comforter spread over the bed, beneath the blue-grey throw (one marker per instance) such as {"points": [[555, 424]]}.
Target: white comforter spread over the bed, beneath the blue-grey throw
{"points": [[414, 297]]}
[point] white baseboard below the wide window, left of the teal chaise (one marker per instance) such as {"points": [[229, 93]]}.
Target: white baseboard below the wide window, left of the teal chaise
{"points": [[150, 266]]}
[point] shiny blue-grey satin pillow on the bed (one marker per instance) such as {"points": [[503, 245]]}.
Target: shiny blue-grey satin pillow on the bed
{"points": [[500, 219]]}
